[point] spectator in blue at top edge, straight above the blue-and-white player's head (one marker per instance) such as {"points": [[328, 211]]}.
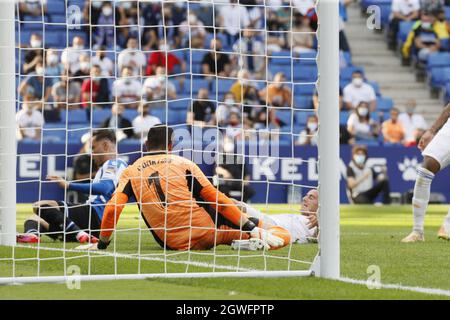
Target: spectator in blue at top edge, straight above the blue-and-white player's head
{"points": [[103, 27]]}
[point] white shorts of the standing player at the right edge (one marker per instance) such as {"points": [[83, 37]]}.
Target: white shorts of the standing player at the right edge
{"points": [[439, 147]]}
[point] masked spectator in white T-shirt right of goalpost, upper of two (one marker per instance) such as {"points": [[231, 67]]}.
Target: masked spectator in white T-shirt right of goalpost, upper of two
{"points": [[358, 91]]}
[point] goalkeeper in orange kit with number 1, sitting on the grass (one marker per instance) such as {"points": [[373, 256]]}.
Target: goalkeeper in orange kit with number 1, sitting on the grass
{"points": [[179, 205]]}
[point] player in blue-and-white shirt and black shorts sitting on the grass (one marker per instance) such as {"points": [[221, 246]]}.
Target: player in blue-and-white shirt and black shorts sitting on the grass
{"points": [[78, 222]]}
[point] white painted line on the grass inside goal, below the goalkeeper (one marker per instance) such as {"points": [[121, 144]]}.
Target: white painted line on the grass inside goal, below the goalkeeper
{"points": [[146, 258]]}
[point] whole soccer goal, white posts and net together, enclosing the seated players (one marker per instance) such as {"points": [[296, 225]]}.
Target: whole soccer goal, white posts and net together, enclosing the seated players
{"points": [[250, 91]]}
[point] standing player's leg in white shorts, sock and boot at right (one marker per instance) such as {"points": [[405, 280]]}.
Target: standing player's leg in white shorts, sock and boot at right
{"points": [[436, 157]]}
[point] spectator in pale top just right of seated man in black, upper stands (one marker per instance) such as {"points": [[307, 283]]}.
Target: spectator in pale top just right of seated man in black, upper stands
{"points": [[252, 54]]}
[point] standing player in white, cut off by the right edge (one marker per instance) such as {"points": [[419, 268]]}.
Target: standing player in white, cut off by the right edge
{"points": [[435, 147]]}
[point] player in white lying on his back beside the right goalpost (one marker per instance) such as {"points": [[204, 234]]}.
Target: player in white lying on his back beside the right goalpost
{"points": [[303, 227]]}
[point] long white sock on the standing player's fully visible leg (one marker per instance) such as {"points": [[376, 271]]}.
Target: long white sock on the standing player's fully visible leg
{"points": [[421, 197]]}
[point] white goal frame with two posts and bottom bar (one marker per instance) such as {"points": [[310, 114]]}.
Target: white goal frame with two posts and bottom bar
{"points": [[326, 263]]}
